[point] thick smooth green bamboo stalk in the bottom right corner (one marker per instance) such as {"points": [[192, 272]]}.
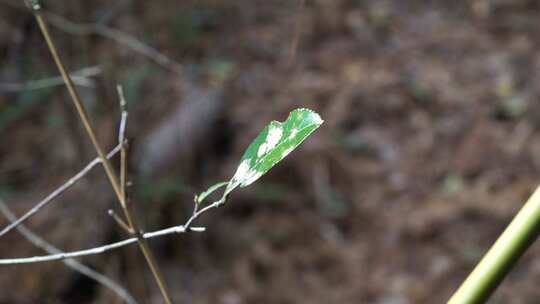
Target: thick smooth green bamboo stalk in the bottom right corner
{"points": [[503, 255]]}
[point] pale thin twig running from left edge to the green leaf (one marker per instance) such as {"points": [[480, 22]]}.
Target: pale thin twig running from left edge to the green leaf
{"points": [[98, 250]]}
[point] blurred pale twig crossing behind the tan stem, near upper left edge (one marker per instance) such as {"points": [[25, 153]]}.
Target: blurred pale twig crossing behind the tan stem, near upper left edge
{"points": [[80, 78]]}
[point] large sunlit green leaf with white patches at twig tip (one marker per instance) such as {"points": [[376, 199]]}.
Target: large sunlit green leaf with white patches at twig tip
{"points": [[274, 142]]}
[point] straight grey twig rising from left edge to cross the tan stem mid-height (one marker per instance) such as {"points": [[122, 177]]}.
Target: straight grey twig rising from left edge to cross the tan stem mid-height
{"points": [[72, 181]]}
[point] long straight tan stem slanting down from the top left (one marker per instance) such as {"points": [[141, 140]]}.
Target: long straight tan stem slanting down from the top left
{"points": [[113, 179]]}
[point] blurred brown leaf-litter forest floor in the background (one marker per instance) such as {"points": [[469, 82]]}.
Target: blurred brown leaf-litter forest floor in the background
{"points": [[430, 144]]}
